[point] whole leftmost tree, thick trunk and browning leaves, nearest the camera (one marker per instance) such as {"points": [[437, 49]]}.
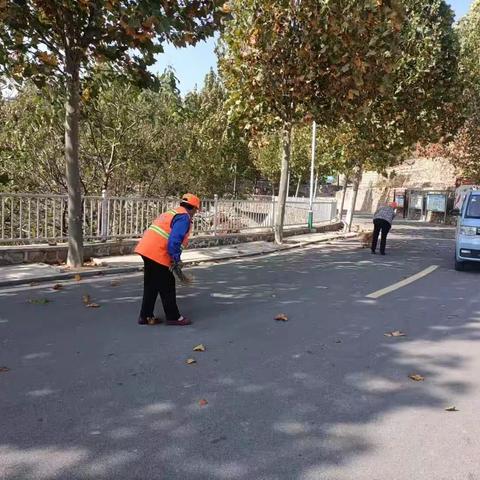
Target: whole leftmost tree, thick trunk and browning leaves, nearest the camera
{"points": [[62, 41]]}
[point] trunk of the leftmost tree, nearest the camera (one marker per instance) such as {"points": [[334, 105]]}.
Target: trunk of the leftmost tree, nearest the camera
{"points": [[72, 116]]}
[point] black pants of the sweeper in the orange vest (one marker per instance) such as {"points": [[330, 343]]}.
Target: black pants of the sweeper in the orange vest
{"points": [[158, 280]]}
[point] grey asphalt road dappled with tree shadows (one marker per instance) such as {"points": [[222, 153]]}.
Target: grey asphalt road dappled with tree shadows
{"points": [[324, 396]]}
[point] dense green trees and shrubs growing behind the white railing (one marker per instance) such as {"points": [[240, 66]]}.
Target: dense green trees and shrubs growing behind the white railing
{"points": [[133, 141]]}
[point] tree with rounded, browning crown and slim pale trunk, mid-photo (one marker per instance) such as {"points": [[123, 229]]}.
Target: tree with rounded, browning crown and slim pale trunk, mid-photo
{"points": [[283, 60]]}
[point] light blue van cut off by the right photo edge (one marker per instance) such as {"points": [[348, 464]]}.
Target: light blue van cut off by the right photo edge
{"points": [[467, 239]]}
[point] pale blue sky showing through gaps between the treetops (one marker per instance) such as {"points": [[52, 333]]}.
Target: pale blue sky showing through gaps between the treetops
{"points": [[191, 64]]}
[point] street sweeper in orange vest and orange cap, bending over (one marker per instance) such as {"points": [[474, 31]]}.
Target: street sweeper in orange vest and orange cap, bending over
{"points": [[161, 248]]}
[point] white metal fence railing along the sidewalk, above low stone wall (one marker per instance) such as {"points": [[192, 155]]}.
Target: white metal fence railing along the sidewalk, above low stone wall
{"points": [[29, 218]]}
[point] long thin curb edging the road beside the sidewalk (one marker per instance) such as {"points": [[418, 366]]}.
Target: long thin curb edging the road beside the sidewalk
{"points": [[98, 272]]}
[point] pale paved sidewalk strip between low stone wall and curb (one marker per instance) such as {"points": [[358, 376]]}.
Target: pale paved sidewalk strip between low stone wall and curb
{"points": [[39, 273]]}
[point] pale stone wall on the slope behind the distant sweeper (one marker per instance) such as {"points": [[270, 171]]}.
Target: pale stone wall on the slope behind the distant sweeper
{"points": [[419, 173]]}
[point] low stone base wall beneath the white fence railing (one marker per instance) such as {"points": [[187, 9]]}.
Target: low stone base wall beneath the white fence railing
{"points": [[57, 254]]}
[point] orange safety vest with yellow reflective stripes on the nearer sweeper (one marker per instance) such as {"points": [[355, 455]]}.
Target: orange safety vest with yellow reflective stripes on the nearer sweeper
{"points": [[154, 243]]}
